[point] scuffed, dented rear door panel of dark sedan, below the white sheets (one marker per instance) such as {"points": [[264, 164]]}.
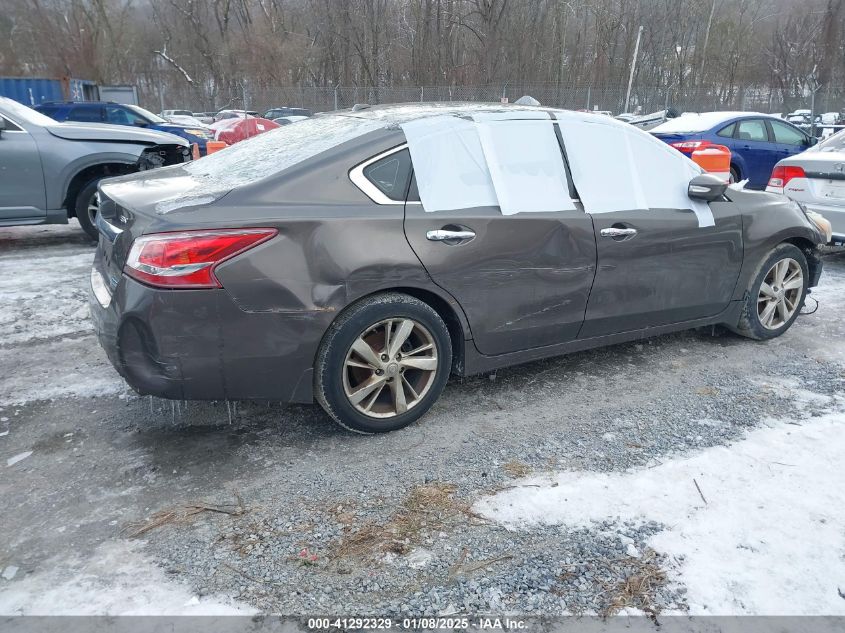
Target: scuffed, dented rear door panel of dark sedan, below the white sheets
{"points": [[523, 280]]}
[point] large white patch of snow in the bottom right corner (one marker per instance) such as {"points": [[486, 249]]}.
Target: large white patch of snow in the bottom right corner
{"points": [[768, 540]]}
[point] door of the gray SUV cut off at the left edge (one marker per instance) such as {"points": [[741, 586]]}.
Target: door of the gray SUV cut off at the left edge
{"points": [[22, 192]]}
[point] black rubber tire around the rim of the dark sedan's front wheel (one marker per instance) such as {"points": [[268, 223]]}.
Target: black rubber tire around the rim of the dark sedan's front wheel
{"points": [[750, 324]]}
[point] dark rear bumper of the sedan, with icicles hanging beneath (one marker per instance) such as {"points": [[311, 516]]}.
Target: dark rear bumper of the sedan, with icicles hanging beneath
{"points": [[199, 345]]}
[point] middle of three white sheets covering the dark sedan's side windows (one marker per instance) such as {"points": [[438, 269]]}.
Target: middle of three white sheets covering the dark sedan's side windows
{"points": [[526, 165]]}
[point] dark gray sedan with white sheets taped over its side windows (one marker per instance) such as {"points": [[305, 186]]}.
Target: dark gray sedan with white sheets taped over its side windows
{"points": [[362, 257]]}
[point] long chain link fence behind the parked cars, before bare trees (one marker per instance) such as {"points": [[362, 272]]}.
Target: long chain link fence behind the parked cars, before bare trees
{"points": [[158, 94]]}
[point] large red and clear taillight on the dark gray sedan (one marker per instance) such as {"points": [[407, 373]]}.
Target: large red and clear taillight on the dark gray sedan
{"points": [[188, 259]]}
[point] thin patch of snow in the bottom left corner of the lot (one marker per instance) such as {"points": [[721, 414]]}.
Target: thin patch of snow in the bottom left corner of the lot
{"points": [[117, 580]]}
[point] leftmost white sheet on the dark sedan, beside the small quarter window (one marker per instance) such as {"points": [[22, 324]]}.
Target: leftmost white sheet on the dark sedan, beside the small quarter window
{"points": [[449, 164]]}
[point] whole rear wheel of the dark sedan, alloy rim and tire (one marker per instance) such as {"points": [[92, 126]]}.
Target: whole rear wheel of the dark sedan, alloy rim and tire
{"points": [[383, 363]]}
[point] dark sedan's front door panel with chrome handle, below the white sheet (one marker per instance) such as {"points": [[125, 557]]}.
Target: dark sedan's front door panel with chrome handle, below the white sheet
{"points": [[667, 270]]}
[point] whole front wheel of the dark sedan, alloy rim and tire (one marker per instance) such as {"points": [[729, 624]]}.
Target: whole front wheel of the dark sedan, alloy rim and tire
{"points": [[776, 294]]}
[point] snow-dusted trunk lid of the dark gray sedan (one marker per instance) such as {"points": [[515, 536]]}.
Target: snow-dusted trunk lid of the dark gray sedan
{"points": [[161, 191]]}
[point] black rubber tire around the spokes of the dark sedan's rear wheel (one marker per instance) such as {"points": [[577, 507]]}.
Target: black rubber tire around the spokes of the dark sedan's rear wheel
{"points": [[332, 375]]}
